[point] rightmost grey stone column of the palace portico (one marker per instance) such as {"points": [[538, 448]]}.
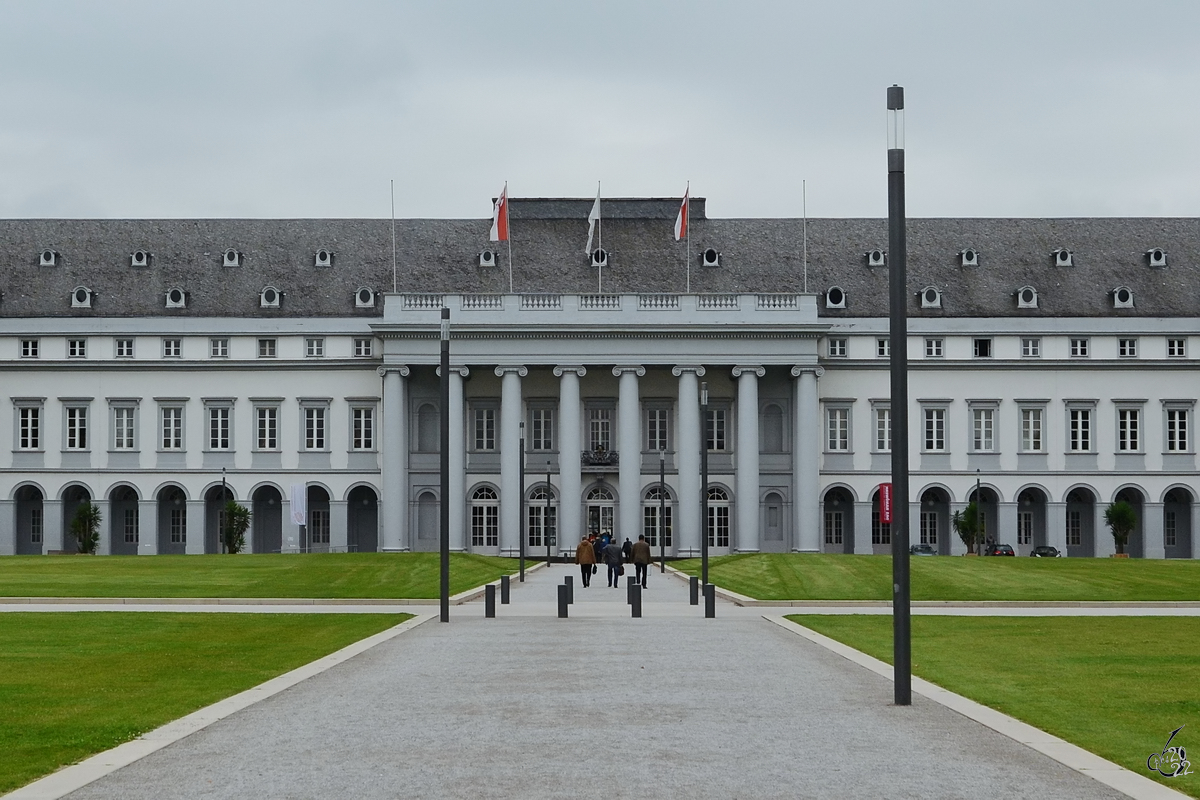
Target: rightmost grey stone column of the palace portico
{"points": [[807, 460]]}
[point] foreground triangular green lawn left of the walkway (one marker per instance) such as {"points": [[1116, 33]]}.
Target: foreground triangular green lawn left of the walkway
{"points": [[76, 684]]}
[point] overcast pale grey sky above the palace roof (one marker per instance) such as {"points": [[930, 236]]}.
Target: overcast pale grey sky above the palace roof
{"points": [[296, 109]]}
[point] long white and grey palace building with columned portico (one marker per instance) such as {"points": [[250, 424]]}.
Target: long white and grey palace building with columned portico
{"points": [[154, 368]]}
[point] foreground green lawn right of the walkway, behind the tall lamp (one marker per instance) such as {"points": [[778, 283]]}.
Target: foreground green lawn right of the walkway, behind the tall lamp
{"points": [[1117, 685]]}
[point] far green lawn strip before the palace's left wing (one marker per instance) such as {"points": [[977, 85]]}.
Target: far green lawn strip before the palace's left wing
{"points": [[315, 575]]}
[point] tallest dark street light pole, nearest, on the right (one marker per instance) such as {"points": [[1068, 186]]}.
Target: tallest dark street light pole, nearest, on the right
{"points": [[898, 252]]}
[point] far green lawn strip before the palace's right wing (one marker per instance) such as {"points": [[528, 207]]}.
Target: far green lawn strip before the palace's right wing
{"points": [[817, 576]]}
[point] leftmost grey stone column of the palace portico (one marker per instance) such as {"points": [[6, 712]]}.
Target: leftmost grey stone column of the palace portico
{"points": [[394, 480]]}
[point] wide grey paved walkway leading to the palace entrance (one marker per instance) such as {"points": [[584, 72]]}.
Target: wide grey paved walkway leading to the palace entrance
{"points": [[597, 706]]}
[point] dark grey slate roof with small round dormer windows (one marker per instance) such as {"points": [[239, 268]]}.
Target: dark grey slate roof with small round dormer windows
{"points": [[548, 242]]}
